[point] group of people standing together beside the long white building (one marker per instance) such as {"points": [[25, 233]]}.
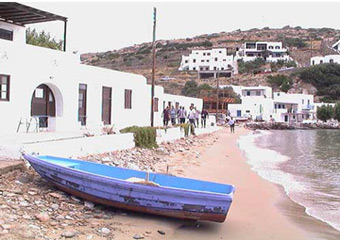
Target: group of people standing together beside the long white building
{"points": [[180, 115]]}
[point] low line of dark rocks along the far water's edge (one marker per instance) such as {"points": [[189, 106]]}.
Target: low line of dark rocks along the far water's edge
{"points": [[291, 126]]}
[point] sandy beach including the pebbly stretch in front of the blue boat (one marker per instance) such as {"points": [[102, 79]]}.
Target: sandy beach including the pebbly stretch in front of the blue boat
{"points": [[260, 209]]}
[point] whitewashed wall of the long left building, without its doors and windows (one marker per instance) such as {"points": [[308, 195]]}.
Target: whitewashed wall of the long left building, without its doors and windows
{"points": [[30, 66]]}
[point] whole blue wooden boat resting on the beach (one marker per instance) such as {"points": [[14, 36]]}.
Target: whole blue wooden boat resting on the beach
{"points": [[136, 190]]}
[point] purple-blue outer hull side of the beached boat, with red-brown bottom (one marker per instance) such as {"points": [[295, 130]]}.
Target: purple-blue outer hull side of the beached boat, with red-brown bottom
{"points": [[175, 203]]}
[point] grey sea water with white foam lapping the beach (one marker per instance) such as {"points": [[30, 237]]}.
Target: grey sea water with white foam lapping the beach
{"points": [[305, 162]]}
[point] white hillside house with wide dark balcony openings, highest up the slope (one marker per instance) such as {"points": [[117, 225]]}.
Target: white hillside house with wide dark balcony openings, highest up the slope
{"points": [[270, 51]]}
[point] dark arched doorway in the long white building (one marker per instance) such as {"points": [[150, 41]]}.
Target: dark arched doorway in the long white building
{"points": [[43, 105]]}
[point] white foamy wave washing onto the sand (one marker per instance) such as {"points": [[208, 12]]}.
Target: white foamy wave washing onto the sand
{"points": [[266, 163]]}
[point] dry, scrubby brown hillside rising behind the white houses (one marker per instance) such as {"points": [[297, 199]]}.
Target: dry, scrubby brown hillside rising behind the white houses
{"points": [[302, 44]]}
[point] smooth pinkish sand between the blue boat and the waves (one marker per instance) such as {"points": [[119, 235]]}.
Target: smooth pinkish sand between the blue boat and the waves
{"points": [[260, 209]]}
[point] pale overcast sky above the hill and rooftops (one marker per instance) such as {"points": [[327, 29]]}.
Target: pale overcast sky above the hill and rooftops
{"points": [[95, 27]]}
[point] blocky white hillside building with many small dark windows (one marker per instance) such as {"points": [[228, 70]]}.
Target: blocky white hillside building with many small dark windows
{"points": [[209, 62]]}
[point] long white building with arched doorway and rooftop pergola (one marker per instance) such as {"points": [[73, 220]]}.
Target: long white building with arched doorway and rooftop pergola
{"points": [[51, 90]]}
